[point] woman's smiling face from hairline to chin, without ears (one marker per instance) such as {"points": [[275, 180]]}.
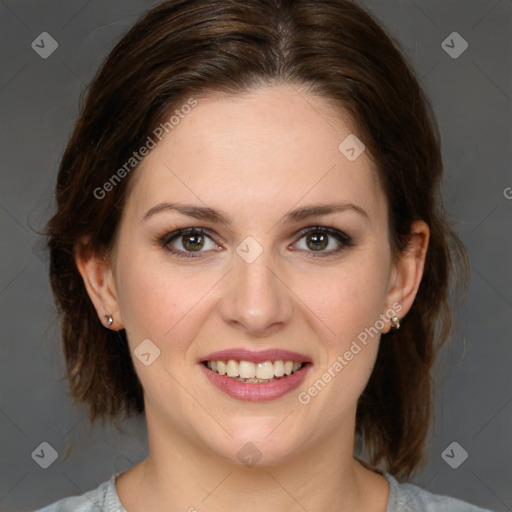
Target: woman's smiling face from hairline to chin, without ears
{"points": [[292, 263]]}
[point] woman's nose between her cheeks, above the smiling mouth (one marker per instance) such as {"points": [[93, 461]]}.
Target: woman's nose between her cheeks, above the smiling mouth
{"points": [[256, 299]]}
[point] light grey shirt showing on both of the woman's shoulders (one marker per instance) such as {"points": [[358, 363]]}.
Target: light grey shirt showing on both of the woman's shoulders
{"points": [[402, 498]]}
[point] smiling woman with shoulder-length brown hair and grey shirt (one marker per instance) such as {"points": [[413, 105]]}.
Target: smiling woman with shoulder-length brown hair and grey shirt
{"points": [[250, 249]]}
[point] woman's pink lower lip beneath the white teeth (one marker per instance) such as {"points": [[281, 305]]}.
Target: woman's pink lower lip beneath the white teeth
{"points": [[256, 392]]}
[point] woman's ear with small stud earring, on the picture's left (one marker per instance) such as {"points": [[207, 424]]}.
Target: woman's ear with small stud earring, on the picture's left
{"points": [[96, 271]]}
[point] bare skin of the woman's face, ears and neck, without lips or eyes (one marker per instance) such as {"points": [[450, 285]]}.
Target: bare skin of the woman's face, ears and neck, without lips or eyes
{"points": [[254, 157]]}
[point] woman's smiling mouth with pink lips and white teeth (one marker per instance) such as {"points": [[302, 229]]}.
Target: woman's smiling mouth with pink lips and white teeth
{"points": [[256, 376]]}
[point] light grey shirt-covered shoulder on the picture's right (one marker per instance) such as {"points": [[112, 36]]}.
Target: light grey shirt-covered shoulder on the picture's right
{"points": [[406, 497]]}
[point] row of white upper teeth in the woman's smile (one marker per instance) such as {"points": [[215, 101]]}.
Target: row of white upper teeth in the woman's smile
{"points": [[250, 370]]}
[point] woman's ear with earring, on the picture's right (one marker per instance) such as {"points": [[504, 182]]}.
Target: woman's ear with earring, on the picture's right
{"points": [[407, 273]]}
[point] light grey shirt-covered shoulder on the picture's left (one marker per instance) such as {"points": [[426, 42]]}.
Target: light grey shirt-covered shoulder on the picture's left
{"points": [[104, 499]]}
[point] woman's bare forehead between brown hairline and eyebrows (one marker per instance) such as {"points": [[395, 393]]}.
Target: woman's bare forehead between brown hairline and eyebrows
{"points": [[270, 148]]}
